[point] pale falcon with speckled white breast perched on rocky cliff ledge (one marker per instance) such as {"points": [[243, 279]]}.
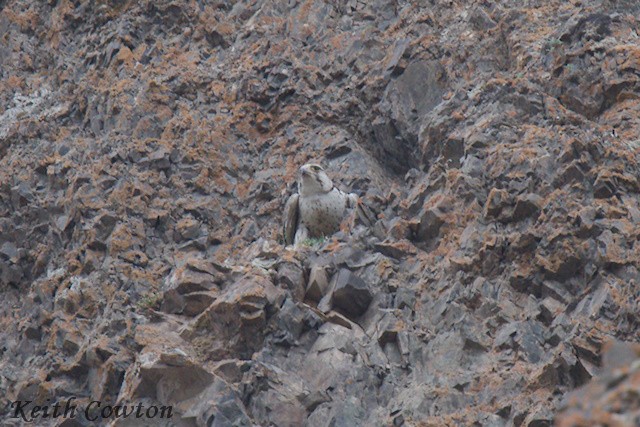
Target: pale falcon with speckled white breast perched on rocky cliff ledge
{"points": [[317, 209]]}
